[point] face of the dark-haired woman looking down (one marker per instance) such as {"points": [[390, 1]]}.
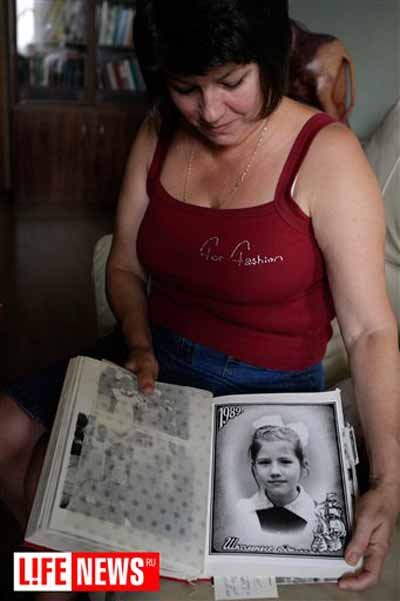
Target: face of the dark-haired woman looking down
{"points": [[222, 105]]}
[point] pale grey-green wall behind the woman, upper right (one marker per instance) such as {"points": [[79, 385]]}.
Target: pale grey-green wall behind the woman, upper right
{"points": [[370, 30]]}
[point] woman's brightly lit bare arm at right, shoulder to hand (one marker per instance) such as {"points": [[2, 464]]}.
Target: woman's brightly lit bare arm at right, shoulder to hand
{"points": [[346, 207]]}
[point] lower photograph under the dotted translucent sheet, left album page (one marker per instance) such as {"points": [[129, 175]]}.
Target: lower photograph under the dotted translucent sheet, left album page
{"points": [[129, 479]]}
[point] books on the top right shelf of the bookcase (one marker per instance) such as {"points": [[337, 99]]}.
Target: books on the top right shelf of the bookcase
{"points": [[115, 24]]}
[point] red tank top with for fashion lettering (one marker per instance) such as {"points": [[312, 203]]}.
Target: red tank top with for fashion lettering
{"points": [[249, 282]]}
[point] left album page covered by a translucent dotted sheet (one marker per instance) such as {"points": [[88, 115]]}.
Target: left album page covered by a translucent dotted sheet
{"points": [[131, 471]]}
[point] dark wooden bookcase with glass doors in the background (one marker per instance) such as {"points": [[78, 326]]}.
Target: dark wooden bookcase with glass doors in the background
{"points": [[77, 98]]}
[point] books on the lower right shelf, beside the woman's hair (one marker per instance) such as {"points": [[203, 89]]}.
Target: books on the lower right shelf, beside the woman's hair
{"points": [[121, 75]]}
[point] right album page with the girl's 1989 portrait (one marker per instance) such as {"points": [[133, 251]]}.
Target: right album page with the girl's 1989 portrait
{"points": [[279, 486]]}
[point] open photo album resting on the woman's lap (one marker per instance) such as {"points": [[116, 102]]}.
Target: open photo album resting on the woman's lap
{"points": [[256, 484]]}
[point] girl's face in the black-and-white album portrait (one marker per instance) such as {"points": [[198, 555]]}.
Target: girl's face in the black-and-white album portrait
{"points": [[277, 471]]}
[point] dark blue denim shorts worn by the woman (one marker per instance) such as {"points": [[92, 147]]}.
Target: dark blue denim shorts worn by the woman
{"points": [[181, 361]]}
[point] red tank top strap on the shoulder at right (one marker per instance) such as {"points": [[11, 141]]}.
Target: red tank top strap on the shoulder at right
{"points": [[299, 150]]}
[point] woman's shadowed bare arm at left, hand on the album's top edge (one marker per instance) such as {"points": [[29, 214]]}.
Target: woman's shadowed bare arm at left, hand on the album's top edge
{"points": [[126, 281]]}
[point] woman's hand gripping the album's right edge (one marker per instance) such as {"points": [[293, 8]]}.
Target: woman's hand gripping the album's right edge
{"points": [[375, 521]]}
